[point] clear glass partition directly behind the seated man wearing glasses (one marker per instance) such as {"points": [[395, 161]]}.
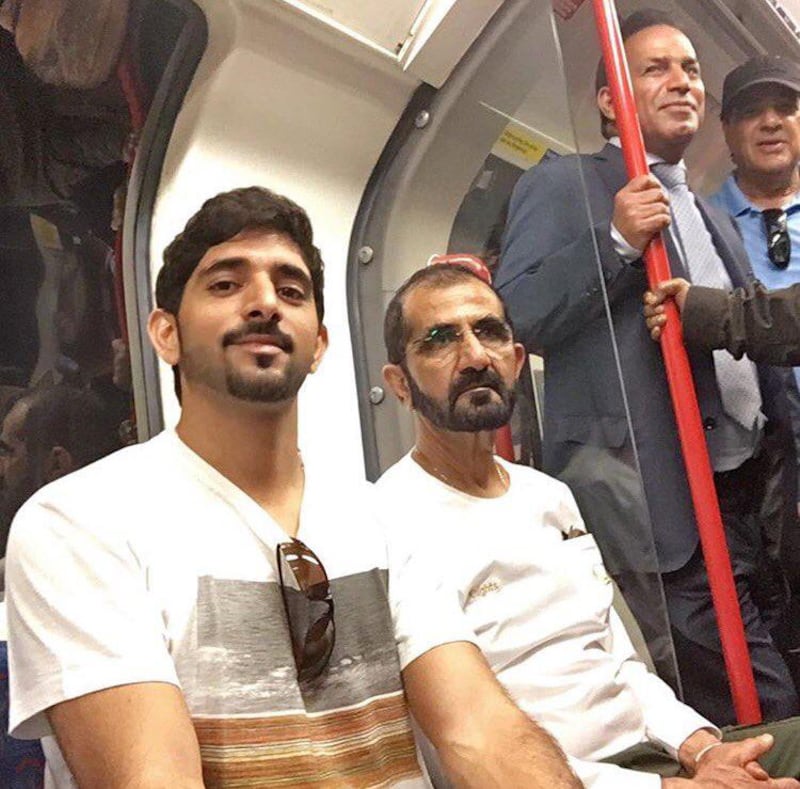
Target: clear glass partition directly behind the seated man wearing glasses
{"points": [[505, 115]]}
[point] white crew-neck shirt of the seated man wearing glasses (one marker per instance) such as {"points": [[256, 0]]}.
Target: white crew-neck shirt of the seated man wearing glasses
{"points": [[540, 608]]}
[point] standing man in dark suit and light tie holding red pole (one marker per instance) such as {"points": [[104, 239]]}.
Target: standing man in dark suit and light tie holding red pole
{"points": [[560, 241]]}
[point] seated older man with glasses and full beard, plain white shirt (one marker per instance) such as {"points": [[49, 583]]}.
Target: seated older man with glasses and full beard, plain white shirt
{"points": [[509, 544]]}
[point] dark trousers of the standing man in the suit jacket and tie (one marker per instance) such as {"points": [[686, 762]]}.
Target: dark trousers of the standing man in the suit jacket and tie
{"points": [[762, 600]]}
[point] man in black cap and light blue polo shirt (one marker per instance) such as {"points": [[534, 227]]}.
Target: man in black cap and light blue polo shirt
{"points": [[761, 121]]}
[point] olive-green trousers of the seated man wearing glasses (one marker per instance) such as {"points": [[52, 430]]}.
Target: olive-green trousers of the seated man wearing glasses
{"points": [[781, 761]]}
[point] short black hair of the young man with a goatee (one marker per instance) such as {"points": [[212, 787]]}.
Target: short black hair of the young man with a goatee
{"points": [[223, 217]]}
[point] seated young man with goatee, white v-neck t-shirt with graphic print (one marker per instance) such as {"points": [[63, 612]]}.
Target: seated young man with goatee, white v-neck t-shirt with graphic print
{"points": [[228, 623]]}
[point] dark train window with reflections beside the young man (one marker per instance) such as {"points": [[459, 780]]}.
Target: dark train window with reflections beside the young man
{"points": [[86, 101]]}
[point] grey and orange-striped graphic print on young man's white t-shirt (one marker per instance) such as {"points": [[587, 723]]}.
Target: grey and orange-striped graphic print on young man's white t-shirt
{"points": [[258, 727]]}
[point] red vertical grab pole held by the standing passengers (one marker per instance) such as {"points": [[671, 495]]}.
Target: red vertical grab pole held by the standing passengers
{"points": [[684, 398]]}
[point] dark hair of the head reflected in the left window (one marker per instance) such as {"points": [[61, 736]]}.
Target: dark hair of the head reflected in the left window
{"points": [[75, 419]]}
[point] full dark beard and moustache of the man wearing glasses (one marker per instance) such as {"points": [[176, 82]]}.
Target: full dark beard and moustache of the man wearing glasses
{"points": [[480, 413]]}
